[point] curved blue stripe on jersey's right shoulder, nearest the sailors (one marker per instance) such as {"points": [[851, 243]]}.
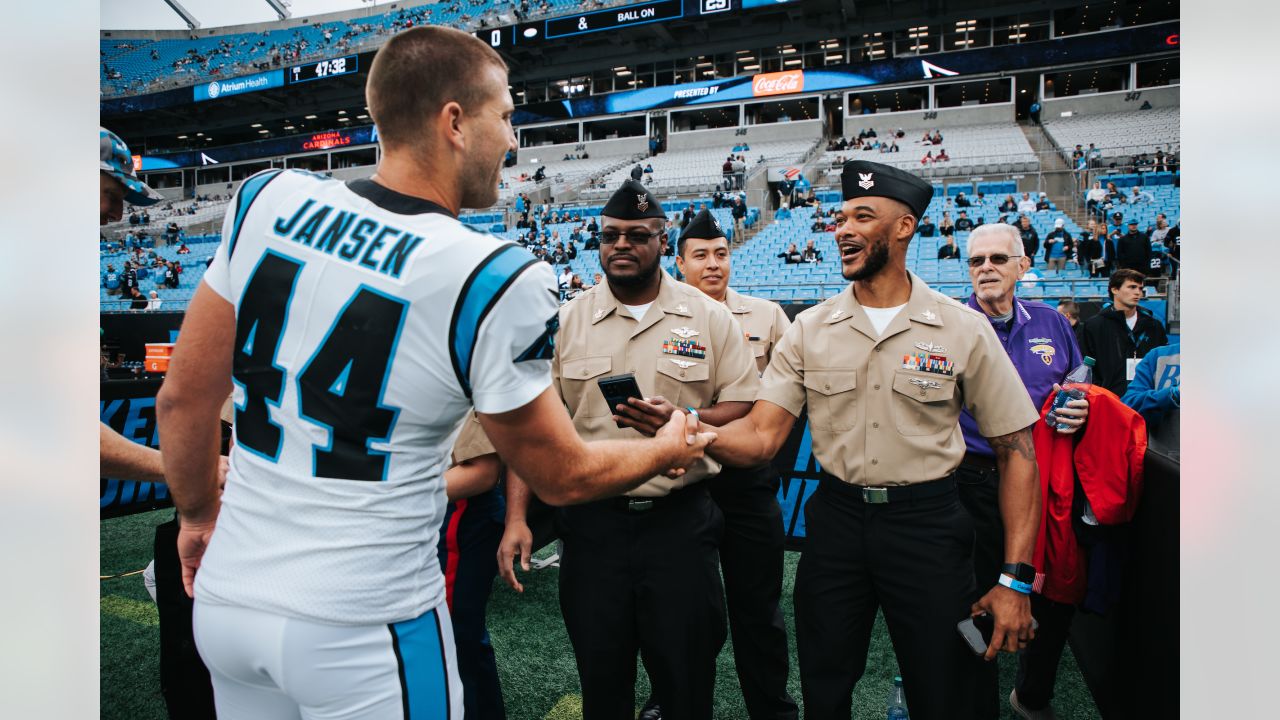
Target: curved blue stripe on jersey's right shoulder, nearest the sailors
{"points": [[482, 291]]}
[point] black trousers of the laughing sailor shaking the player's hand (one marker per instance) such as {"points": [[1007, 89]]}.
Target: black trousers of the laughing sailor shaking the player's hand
{"points": [[912, 559]]}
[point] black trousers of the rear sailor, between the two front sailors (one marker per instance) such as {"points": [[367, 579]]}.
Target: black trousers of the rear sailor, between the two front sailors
{"points": [[752, 563]]}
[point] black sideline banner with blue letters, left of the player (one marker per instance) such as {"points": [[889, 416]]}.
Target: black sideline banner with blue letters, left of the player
{"points": [[130, 409]]}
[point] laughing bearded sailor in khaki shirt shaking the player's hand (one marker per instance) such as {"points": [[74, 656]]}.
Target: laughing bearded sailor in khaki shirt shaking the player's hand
{"points": [[885, 370]]}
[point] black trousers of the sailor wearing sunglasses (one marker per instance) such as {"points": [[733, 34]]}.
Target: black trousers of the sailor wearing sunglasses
{"points": [[644, 582]]}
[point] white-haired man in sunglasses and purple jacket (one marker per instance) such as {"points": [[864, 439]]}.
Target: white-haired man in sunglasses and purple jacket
{"points": [[1043, 347]]}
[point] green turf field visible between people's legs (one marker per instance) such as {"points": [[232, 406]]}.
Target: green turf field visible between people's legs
{"points": [[538, 676]]}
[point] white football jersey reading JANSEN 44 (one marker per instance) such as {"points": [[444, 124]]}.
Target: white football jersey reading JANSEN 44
{"points": [[367, 325]]}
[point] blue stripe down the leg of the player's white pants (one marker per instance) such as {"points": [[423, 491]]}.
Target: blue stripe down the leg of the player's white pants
{"points": [[419, 646]]}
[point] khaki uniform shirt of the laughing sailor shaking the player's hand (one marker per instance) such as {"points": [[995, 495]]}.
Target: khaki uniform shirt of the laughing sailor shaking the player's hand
{"points": [[884, 411]]}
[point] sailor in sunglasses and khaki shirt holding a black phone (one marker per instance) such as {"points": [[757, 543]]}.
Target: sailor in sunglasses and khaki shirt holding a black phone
{"points": [[641, 573]]}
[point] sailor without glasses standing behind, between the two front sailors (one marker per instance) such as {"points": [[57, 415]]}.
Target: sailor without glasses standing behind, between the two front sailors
{"points": [[755, 540]]}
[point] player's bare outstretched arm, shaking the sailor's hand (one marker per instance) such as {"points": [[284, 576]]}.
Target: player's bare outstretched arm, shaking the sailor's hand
{"points": [[540, 443]]}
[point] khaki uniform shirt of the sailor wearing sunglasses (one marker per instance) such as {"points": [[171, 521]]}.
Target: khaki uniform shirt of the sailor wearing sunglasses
{"points": [[598, 338]]}
